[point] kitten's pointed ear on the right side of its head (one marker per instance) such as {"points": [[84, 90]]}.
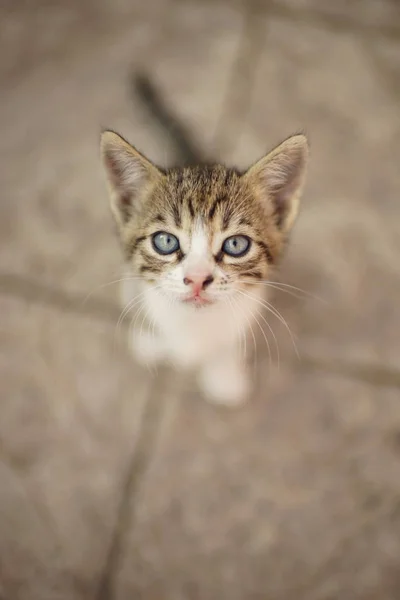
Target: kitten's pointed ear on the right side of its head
{"points": [[279, 179]]}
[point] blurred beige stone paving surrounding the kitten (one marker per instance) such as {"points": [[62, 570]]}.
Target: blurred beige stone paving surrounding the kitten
{"points": [[115, 484]]}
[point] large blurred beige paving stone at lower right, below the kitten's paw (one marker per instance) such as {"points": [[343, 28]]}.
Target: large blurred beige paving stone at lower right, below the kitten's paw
{"points": [[295, 496]]}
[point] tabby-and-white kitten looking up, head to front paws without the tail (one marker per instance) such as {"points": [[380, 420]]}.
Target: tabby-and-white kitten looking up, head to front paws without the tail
{"points": [[197, 243]]}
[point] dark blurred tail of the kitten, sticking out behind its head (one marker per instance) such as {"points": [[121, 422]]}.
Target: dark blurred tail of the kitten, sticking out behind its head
{"points": [[148, 94]]}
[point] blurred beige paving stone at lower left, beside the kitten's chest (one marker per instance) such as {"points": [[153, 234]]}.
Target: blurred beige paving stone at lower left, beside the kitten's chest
{"points": [[70, 417]]}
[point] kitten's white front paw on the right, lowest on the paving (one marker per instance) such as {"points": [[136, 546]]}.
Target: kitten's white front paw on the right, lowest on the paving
{"points": [[225, 383]]}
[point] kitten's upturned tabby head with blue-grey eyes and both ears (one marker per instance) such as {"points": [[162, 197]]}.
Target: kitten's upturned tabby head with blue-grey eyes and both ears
{"points": [[202, 233]]}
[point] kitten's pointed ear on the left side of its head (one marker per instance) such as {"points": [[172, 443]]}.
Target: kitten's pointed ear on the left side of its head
{"points": [[129, 174]]}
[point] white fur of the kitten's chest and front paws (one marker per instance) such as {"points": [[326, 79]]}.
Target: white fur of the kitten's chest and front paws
{"points": [[213, 339]]}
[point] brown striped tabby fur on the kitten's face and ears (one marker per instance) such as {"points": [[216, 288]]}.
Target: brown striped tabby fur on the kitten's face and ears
{"points": [[261, 203]]}
